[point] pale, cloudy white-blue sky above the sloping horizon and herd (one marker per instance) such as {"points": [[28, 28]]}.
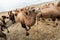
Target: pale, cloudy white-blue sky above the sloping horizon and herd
{"points": [[6, 5]]}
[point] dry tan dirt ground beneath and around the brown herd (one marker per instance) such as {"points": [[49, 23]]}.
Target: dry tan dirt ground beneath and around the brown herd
{"points": [[42, 31]]}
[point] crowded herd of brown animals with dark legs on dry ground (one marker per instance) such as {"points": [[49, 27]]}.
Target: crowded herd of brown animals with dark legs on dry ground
{"points": [[31, 15]]}
